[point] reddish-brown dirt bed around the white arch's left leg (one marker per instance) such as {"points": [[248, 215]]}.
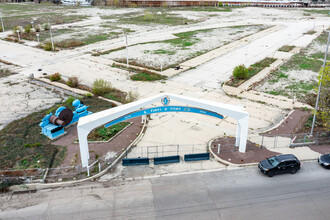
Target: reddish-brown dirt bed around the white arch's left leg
{"points": [[98, 150]]}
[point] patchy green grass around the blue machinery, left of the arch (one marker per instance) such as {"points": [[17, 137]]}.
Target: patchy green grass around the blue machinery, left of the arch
{"points": [[23, 146]]}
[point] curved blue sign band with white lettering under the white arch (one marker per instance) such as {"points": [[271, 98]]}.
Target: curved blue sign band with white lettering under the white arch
{"points": [[164, 109]]}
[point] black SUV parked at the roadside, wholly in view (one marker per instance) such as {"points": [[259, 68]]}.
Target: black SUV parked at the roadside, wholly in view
{"points": [[284, 163]]}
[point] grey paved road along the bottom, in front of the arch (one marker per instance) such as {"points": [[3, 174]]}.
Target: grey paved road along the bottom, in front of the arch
{"points": [[227, 194]]}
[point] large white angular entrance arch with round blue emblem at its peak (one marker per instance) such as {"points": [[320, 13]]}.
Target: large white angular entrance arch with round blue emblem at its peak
{"points": [[88, 123]]}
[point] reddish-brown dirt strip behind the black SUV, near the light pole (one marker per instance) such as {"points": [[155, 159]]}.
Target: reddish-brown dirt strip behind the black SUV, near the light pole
{"points": [[292, 124]]}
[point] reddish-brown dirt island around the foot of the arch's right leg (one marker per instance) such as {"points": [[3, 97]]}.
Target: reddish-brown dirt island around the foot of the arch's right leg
{"points": [[254, 153]]}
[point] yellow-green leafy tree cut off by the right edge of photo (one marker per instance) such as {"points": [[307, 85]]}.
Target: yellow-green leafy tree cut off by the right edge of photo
{"points": [[324, 101]]}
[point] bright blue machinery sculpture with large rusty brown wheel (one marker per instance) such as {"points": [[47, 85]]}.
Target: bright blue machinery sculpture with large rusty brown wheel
{"points": [[53, 125]]}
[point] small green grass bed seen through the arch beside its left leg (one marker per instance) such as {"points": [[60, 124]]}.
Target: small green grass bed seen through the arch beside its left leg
{"points": [[104, 134]]}
